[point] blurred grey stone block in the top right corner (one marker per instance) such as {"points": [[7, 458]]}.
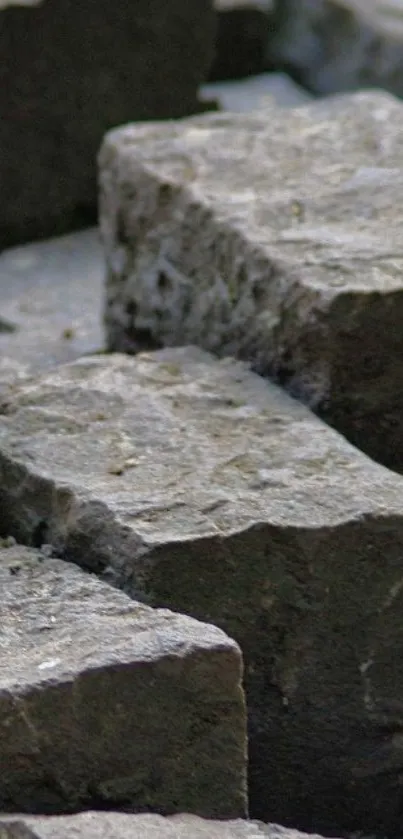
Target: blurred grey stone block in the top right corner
{"points": [[339, 45]]}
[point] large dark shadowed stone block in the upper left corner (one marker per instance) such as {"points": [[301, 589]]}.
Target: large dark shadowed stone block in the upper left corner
{"points": [[69, 72]]}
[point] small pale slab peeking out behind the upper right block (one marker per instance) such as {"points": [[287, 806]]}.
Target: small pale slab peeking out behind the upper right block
{"points": [[249, 94]]}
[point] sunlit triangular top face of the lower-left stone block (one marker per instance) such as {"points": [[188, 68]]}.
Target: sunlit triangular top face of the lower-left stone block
{"points": [[54, 619]]}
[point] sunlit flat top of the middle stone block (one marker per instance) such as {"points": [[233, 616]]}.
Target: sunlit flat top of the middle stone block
{"points": [[176, 444]]}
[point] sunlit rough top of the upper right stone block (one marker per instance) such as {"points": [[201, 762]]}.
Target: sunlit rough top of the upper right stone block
{"points": [[319, 185]]}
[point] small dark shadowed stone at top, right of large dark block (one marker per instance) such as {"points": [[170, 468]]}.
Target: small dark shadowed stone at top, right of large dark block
{"points": [[241, 39]]}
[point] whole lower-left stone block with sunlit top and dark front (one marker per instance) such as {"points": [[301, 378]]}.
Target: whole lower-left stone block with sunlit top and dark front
{"points": [[105, 702]]}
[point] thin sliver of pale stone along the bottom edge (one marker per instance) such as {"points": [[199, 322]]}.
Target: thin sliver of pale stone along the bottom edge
{"points": [[94, 825]]}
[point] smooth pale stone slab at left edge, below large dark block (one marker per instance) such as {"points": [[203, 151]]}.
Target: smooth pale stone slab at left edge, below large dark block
{"points": [[51, 292]]}
